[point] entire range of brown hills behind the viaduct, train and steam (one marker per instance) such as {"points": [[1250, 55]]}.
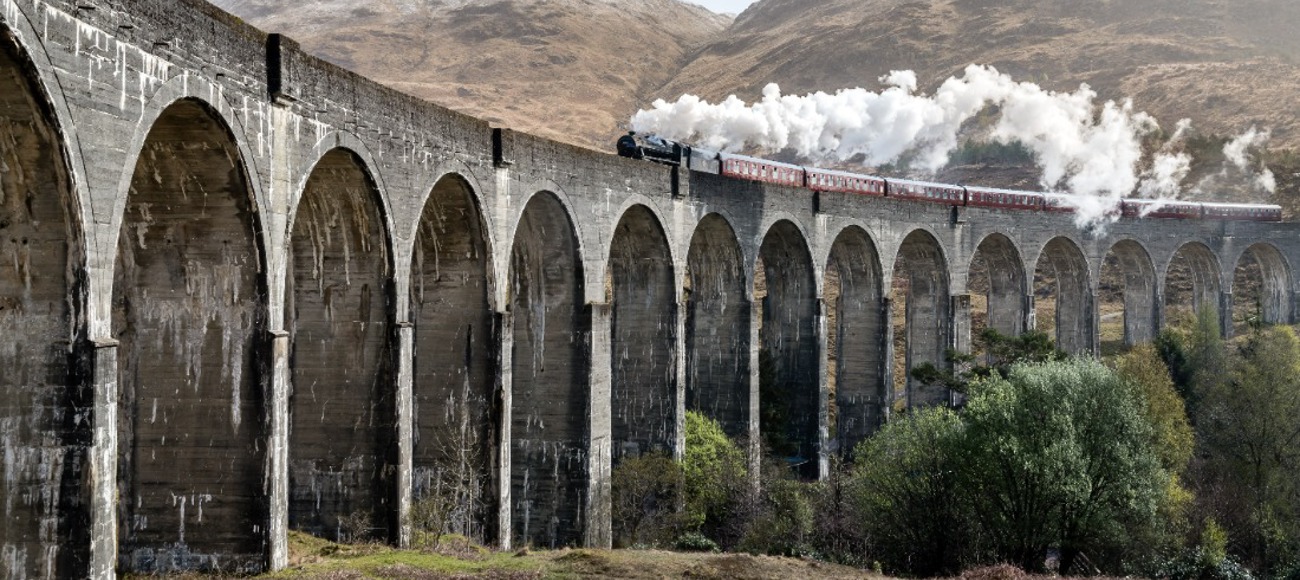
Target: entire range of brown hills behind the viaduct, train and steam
{"points": [[577, 70]]}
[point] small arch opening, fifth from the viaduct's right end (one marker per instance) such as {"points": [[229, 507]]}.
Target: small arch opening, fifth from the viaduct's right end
{"points": [[998, 280]]}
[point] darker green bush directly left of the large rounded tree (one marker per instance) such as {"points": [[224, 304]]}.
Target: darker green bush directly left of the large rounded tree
{"points": [[908, 490]]}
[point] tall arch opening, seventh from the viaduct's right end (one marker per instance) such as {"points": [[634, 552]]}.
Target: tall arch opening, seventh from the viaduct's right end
{"points": [[856, 331]]}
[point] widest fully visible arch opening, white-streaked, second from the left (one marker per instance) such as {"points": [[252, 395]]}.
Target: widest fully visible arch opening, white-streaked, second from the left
{"points": [[189, 308]]}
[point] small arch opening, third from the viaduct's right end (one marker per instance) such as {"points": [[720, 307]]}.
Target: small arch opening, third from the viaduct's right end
{"points": [[1126, 296]]}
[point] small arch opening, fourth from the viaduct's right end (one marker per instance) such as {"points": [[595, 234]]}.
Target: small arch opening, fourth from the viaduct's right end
{"points": [[1063, 296]]}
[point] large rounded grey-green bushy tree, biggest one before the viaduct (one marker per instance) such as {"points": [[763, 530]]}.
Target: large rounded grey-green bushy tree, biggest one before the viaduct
{"points": [[1060, 456]]}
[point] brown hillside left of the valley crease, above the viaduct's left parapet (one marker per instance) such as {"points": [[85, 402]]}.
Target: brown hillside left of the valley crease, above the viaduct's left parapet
{"points": [[567, 70]]}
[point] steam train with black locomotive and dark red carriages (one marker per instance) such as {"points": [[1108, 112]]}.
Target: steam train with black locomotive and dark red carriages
{"points": [[740, 167]]}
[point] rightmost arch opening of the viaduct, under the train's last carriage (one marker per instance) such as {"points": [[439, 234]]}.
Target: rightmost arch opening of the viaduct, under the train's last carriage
{"points": [[1262, 289]]}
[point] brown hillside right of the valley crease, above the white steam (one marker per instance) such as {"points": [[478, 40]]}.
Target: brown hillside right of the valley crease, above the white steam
{"points": [[1227, 64]]}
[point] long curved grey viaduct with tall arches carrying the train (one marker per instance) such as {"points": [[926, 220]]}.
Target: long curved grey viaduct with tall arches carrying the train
{"points": [[245, 292]]}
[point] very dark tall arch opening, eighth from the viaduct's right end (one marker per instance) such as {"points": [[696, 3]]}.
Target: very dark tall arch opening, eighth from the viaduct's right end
{"points": [[790, 396]]}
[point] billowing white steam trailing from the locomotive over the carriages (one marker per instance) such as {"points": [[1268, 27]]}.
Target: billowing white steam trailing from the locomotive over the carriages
{"points": [[1085, 149]]}
